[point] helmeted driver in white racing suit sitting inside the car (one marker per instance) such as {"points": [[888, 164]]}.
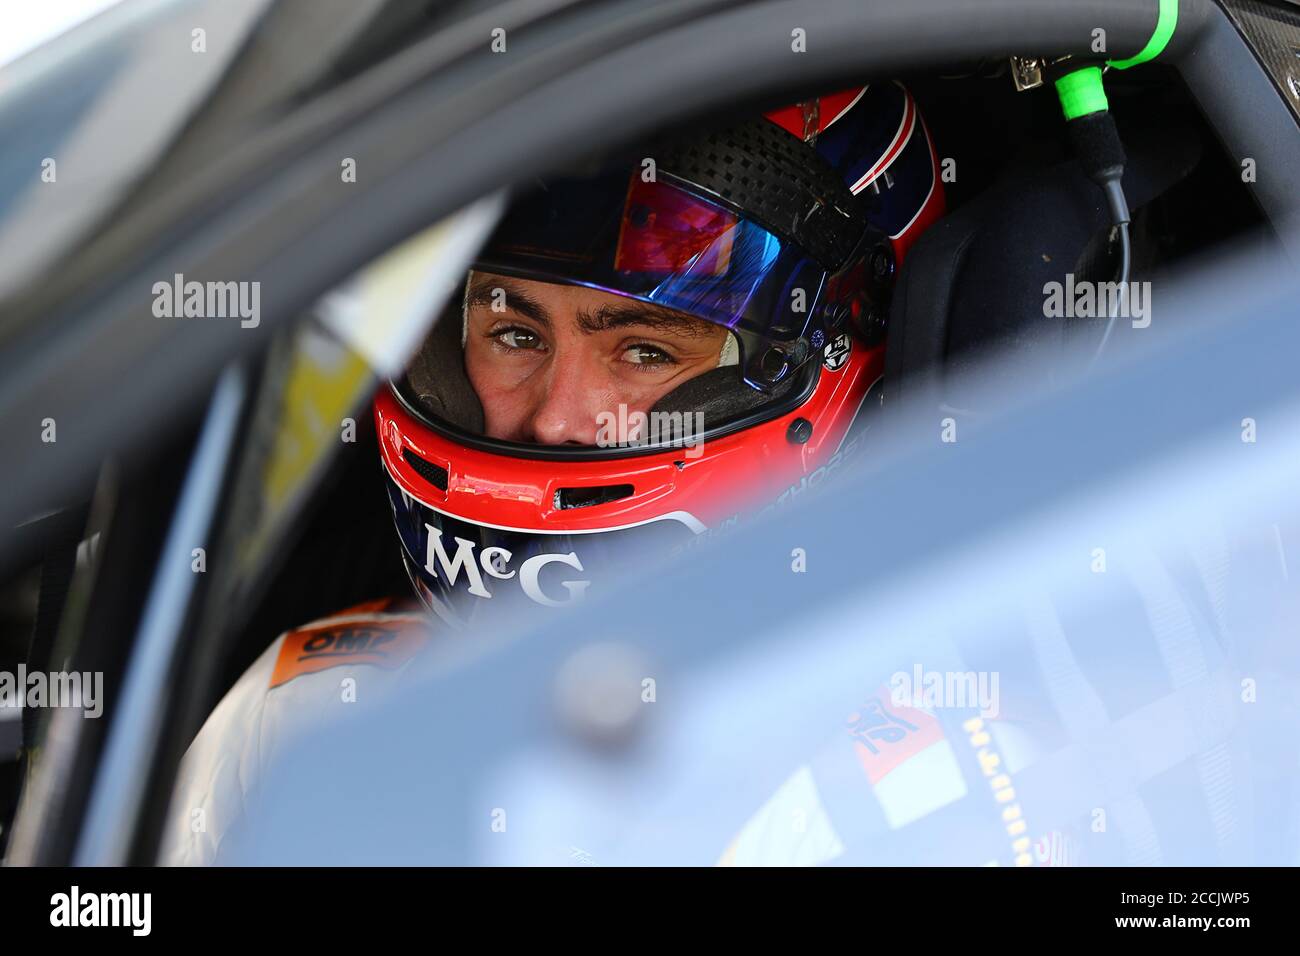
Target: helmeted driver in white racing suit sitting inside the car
{"points": [[642, 354]]}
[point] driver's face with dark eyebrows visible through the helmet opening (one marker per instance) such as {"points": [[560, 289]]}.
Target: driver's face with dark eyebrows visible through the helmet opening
{"points": [[552, 358]]}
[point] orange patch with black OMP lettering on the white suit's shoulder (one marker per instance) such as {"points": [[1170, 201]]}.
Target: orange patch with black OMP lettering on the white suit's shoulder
{"points": [[380, 641]]}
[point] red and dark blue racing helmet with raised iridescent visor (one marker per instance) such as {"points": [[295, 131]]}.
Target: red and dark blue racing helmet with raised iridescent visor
{"points": [[786, 232]]}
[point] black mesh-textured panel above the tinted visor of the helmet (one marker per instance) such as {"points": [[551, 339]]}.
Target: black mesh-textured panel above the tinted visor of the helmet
{"points": [[775, 180]]}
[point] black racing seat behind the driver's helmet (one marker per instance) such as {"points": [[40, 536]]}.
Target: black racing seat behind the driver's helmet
{"points": [[976, 280]]}
